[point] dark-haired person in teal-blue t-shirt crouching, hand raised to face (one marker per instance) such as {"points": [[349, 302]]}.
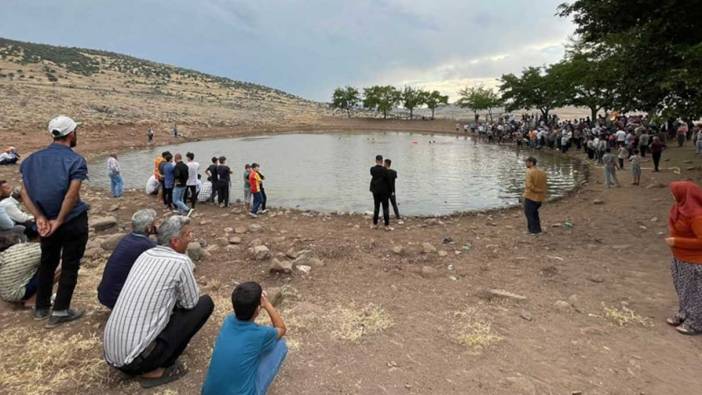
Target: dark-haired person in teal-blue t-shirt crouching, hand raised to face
{"points": [[246, 356]]}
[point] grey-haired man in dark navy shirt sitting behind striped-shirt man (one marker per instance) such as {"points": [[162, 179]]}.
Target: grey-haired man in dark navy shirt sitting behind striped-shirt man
{"points": [[125, 254]]}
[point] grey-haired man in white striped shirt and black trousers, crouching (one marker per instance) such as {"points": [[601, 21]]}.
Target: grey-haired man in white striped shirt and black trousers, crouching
{"points": [[158, 310]]}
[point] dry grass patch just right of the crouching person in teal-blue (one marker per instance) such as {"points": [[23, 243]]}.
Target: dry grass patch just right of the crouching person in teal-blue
{"points": [[353, 323]]}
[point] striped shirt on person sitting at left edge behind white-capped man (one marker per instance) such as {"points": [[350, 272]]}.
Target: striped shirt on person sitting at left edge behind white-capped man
{"points": [[18, 264]]}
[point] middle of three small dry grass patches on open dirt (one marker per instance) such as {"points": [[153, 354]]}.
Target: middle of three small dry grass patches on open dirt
{"points": [[471, 330]]}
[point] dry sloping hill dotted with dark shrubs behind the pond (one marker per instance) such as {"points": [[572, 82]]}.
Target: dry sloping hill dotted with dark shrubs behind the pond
{"points": [[103, 88]]}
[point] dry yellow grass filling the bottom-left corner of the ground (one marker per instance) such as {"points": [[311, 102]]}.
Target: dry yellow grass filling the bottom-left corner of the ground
{"points": [[38, 362]]}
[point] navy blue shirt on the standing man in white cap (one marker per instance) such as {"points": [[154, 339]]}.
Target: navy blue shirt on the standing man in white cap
{"points": [[46, 175]]}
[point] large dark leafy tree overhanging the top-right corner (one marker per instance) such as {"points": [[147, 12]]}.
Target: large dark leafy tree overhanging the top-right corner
{"points": [[657, 44]]}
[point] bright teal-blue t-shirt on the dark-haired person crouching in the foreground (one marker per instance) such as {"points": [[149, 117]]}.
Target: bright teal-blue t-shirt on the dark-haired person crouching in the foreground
{"points": [[236, 356]]}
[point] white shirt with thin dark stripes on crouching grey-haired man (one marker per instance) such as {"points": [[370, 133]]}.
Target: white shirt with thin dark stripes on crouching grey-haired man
{"points": [[160, 280]]}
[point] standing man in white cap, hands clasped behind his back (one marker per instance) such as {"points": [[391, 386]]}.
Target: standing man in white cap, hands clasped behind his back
{"points": [[52, 179]]}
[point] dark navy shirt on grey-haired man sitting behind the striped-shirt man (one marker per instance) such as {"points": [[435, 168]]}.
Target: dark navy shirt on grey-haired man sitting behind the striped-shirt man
{"points": [[118, 266]]}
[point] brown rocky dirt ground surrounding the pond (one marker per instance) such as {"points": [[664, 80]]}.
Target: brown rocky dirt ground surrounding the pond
{"points": [[459, 304]]}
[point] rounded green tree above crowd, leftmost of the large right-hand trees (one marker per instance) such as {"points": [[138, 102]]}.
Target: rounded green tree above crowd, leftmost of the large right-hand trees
{"points": [[535, 88]]}
